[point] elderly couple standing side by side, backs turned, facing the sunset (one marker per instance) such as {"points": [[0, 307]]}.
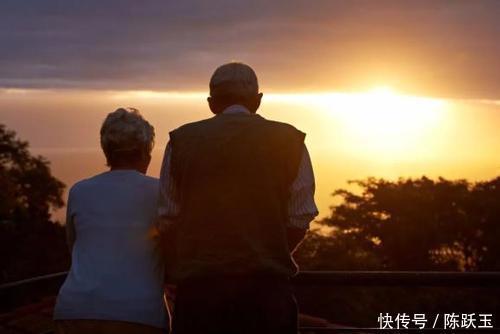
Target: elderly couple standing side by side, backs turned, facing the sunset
{"points": [[234, 199]]}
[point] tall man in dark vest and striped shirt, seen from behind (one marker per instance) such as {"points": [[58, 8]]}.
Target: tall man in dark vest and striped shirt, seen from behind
{"points": [[236, 198]]}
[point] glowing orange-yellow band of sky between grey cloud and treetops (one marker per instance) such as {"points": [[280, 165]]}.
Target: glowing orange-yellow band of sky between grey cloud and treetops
{"points": [[350, 136]]}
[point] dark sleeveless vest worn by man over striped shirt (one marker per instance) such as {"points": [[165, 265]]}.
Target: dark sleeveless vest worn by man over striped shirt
{"points": [[233, 173]]}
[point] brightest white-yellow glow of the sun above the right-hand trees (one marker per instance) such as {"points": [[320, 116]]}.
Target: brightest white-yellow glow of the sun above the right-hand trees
{"points": [[386, 124]]}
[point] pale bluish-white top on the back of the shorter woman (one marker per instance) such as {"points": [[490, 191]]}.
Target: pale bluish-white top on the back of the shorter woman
{"points": [[114, 273]]}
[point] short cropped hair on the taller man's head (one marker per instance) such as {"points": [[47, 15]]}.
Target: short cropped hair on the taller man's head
{"points": [[234, 79]]}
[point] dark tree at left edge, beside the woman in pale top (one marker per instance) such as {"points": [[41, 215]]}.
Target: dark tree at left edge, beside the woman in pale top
{"points": [[30, 244]]}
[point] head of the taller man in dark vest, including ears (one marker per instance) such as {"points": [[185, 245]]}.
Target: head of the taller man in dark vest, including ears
{"points": [[234, 83]]}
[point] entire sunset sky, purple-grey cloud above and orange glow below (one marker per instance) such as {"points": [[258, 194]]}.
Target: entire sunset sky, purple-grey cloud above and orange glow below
{"points": [[382, 88]]}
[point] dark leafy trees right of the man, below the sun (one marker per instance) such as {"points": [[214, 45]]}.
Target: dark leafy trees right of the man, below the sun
{"points": [[409, 224]]}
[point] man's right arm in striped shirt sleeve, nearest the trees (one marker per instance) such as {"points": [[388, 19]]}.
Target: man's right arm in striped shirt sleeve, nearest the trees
{"points": [[301, 206]]}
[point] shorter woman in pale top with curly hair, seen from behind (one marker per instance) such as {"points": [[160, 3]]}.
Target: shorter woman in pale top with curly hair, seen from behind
{"points": [[114, 284]]}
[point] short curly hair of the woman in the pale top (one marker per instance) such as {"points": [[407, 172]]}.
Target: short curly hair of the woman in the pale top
{"points": [[125, 130]]}
